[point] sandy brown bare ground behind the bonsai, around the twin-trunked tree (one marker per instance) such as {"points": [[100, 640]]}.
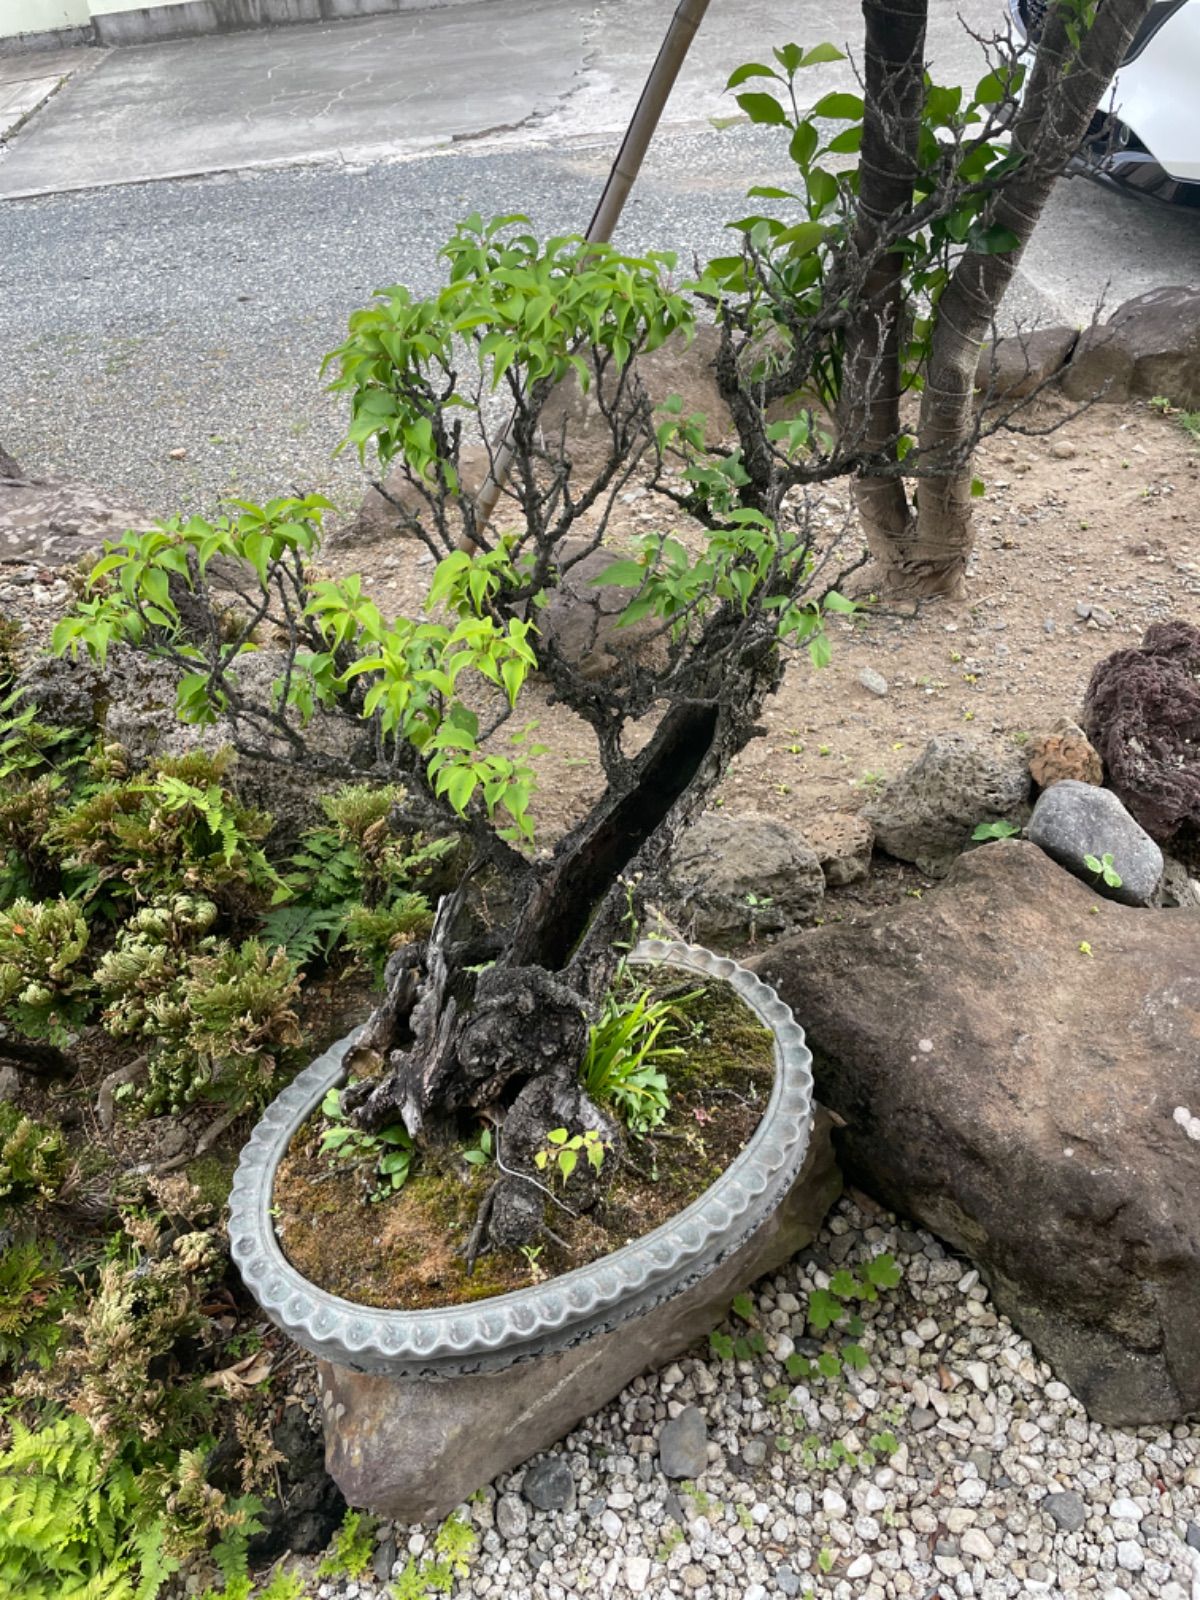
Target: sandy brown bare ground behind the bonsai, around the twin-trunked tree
{"points": [[1102, 513]]}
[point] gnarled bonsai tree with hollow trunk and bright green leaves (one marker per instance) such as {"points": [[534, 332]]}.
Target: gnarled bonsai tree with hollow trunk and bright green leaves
{"points": [[494, 1023]]}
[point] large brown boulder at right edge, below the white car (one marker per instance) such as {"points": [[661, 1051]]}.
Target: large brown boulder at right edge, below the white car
{"points": [[1150, 346]]}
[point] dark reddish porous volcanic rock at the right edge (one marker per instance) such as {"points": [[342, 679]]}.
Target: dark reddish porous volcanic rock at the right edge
{"points": [[1143, 713]]}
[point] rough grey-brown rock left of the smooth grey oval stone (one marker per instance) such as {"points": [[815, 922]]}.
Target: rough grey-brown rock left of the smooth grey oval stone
{"points": [[929, 812]]}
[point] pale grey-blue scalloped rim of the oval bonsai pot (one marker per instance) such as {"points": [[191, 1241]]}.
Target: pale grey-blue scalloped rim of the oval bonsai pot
{"points": [[561, 1313]]}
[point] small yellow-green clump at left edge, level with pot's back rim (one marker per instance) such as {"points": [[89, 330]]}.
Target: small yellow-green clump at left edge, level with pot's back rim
{"points": [[46, 986]]}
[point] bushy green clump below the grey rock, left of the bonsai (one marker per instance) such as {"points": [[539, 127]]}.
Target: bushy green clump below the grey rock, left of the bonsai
{"points": [[177, 826]]}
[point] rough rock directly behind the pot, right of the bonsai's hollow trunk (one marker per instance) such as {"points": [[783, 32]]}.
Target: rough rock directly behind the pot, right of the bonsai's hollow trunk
{"points": [[740, 876]]}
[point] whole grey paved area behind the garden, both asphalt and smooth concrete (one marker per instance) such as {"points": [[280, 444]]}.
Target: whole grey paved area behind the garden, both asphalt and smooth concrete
{"points": [[145, 316]]}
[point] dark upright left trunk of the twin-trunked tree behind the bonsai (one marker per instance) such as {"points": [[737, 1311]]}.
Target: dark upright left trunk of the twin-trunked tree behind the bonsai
{"points": [[871, 378]]}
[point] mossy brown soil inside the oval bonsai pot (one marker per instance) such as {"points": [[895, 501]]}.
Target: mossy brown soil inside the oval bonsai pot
{"points": [[409, 1252]]}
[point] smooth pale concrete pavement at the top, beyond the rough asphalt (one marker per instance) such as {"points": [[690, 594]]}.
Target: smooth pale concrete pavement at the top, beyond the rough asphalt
{"points": [[393, 87]]}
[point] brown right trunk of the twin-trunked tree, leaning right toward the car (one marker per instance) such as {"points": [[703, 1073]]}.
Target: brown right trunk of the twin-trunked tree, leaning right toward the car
{"points": [[1065, 94]]}
